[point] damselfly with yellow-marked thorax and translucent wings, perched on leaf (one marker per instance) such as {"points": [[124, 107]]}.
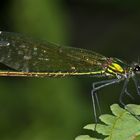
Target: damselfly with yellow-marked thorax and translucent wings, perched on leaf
{"points": [[24, 56]]}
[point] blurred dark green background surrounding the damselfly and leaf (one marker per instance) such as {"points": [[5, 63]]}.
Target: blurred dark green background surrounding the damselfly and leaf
{"points": [[58, 108]]}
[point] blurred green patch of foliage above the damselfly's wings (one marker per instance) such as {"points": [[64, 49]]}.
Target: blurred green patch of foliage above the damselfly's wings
{"points": [[43, 19]]}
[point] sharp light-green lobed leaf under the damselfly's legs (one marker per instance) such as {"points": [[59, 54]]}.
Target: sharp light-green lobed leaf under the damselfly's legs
{"points": [[124, 124]]}
